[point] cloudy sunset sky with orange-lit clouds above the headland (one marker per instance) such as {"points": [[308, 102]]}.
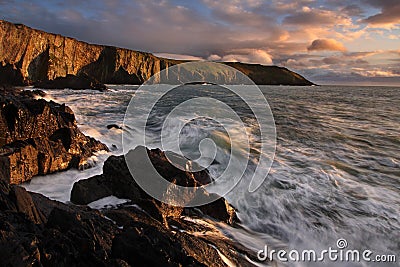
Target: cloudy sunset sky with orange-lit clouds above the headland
{"points": [[327, 41]]}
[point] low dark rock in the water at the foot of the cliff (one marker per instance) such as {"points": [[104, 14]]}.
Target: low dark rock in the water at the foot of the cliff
{"points": [[71, 82]]}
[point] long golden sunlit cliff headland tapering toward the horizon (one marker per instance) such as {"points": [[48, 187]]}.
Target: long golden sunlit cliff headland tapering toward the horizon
{"points": [[29, 56]]}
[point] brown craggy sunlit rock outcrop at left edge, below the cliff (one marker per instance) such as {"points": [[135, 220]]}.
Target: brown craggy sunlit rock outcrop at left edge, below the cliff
{"points": [[39, 137]]}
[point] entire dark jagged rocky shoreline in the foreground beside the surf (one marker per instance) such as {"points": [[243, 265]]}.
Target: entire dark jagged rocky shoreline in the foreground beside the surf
{"points": [[37, 231]]}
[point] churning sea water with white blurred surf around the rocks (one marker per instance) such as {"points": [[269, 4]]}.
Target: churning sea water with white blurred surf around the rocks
{"points": [[336, 172]]}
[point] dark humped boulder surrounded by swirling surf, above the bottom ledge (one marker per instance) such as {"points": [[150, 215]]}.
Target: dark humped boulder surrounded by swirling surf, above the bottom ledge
{"points": [[116, 180]]}
